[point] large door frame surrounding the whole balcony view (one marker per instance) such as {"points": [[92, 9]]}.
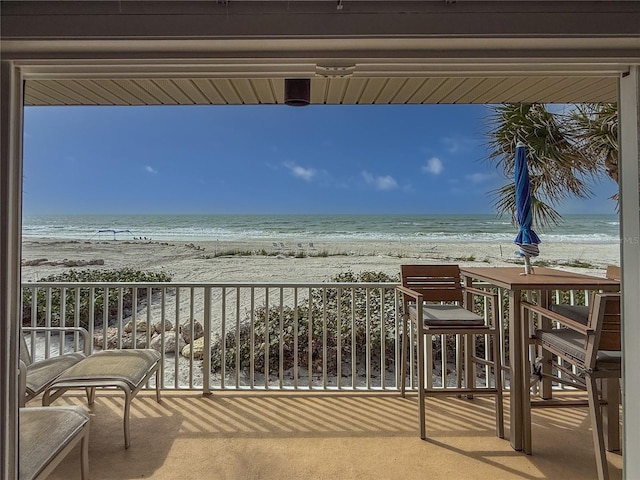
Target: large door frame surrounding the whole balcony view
{"points": [[606, 41]]}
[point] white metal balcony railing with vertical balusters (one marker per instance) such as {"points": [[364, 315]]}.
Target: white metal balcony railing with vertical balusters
{"points": [[313, 341]]}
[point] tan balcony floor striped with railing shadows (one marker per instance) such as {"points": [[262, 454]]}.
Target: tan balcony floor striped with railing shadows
{"points": [[275, 435]]}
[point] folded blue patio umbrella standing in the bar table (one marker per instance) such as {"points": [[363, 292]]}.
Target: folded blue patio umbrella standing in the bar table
{"points": [[526, 239]]}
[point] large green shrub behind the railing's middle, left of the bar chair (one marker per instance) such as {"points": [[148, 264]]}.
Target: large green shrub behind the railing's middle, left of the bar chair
{"points": [[310, 314]]}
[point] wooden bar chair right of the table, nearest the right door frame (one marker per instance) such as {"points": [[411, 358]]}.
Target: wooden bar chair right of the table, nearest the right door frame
{"points": [[590, 354]]}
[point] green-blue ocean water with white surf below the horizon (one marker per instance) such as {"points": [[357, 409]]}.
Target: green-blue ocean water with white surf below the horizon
{"points": [[310, 228]]}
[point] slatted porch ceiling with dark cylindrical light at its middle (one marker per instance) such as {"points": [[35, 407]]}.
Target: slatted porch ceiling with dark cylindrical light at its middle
{"points": [[324, 91]]}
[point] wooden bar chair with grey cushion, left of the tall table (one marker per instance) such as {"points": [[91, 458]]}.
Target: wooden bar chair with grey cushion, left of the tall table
{"points": [[432, 298]]}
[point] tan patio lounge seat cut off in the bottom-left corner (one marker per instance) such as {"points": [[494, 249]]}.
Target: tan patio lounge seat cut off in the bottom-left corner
{"points": [[47, 434]]}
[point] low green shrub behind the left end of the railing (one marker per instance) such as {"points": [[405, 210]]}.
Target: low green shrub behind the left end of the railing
{"points": [[82, 277]]}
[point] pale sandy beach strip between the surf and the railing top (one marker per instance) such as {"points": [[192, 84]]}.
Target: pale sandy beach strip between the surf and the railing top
{"points": [[217, 261]]}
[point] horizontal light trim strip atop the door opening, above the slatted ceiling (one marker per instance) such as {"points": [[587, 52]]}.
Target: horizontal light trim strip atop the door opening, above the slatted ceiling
{"points": [[305, 68]]}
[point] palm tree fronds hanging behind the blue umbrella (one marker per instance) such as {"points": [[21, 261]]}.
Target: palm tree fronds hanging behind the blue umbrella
{"points": [[566, 153]]}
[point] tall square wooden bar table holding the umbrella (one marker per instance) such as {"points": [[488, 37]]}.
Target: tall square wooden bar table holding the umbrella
{"points": [[544, 280]]}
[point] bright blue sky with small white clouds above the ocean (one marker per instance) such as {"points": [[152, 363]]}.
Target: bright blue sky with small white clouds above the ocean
{"points": [[264, 159]]}
